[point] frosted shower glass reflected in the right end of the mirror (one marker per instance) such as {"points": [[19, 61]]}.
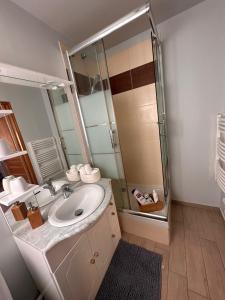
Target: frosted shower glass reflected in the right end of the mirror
{"points": [[65, 125]]}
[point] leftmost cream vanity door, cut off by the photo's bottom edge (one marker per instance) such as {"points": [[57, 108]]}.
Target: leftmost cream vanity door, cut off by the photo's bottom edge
{"points": [[77, 276]]}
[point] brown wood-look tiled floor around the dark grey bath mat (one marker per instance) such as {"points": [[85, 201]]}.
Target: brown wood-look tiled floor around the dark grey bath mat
{"points": [[194, 264]]}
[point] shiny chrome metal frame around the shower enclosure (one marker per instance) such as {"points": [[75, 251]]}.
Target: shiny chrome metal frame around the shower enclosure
{"points": [[145, 9]]}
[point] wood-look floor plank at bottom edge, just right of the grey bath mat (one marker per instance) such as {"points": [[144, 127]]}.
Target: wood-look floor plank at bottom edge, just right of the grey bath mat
{"points": [[177, 287]]}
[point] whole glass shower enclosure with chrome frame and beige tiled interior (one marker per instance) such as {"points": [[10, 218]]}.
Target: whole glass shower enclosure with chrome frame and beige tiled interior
{"points": [[120, 98]]}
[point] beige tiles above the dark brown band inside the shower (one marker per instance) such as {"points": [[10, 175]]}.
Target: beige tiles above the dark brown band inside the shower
{"points": [[130, 54]]}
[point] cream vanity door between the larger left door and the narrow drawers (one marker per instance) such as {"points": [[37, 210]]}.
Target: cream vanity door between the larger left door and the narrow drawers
{"points": [[101, 244]]}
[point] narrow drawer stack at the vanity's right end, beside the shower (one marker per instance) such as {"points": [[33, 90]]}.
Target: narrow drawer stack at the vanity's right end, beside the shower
{"points": [[114, 222]]}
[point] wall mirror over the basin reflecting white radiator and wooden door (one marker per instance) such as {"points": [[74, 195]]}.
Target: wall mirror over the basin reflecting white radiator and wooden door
{"points": [[41, 125]]}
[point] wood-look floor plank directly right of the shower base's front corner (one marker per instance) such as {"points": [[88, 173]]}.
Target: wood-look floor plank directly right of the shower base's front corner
{"points": [[177, 250]]}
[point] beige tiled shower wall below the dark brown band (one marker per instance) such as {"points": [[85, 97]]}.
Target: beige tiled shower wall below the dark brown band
{"points": [[136, 115]]}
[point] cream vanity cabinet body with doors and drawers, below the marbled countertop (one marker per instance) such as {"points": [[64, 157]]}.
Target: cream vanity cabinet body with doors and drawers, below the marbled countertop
{"points": [[75, 267]]}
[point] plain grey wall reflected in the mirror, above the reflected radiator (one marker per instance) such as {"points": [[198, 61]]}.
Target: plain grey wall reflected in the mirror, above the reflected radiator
{"points": [[30, 112]]}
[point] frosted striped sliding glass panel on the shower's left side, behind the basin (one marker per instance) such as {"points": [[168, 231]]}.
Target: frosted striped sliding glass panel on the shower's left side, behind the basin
{"points": [[90, 73]]}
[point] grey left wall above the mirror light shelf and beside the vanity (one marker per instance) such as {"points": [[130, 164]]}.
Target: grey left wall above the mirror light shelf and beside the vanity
{"points": [[27, 43]]}
